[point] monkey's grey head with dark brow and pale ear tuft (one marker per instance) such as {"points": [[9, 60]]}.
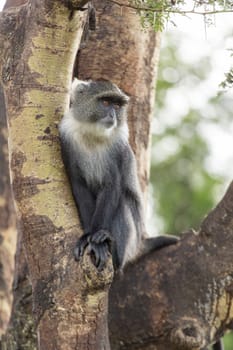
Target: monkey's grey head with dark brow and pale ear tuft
{"points": [[100, 103]]}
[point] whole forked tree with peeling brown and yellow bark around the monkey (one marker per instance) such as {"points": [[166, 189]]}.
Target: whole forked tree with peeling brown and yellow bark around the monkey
{"points": [[178, 298]]}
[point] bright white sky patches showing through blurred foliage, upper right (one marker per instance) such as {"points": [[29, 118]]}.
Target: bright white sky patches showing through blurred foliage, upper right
{"points": [[198, 40]]}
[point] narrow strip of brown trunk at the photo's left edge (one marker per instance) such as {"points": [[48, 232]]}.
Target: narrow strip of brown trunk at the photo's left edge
{"points": [[7, 224]]}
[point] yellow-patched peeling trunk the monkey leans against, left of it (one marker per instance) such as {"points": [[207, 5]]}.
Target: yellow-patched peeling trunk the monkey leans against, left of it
{"points": [[69, 300]]}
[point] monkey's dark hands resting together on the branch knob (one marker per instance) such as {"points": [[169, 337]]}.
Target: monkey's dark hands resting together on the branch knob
{"points": [[99, 245]]}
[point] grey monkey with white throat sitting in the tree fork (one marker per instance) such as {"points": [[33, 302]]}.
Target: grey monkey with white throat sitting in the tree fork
{"points": [[101, 167]]}
